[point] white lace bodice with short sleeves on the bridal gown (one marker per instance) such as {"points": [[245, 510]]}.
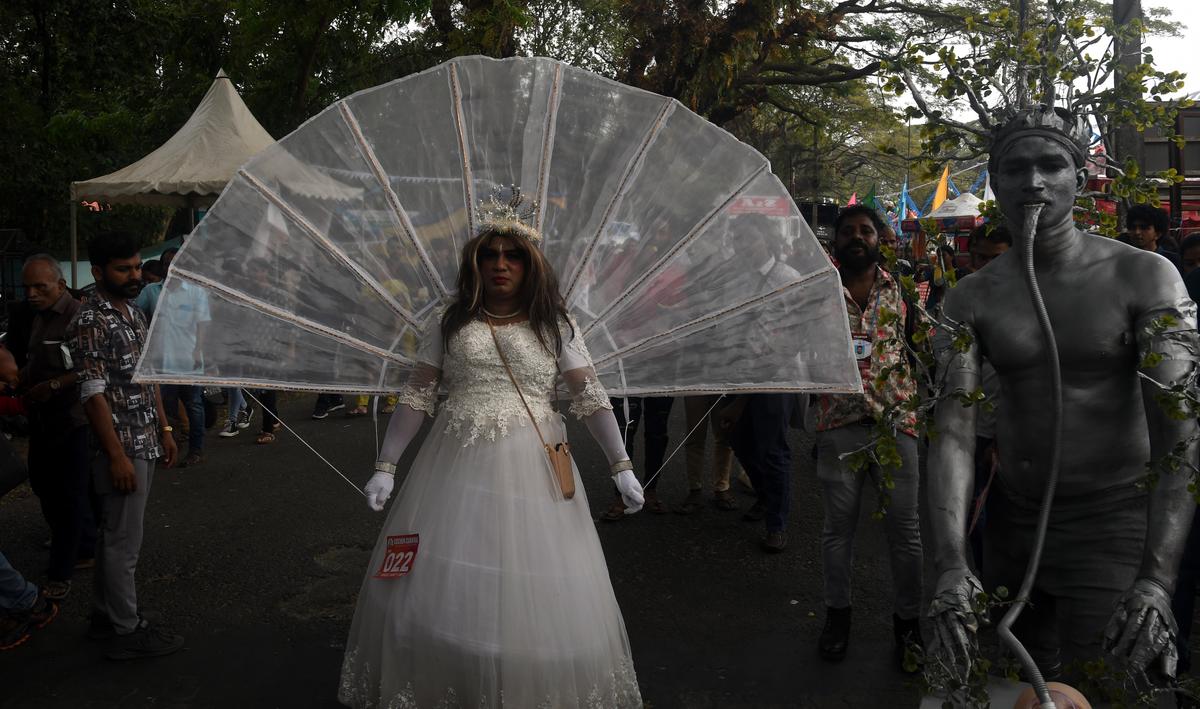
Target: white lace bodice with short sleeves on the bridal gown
{"points": [[483, 402]]}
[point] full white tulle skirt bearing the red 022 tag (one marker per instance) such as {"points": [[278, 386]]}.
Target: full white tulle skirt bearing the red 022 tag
{"points": [[508, 603]]}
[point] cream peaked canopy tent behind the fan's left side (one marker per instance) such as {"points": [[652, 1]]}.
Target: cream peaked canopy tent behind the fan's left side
{"points": [[191, 169]]}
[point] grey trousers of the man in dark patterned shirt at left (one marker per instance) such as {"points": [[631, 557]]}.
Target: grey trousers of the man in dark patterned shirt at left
{"points": [[119, 544]]}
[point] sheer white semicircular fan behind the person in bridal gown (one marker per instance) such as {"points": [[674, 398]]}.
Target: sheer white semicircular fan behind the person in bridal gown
{"points": [[683, 259]]}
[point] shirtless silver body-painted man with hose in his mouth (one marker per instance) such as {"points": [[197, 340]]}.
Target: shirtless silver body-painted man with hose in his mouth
{"points": [[1113, 548]]}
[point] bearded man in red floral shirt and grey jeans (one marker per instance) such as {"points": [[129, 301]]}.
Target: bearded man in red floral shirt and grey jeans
{"points": [[848, 424]]}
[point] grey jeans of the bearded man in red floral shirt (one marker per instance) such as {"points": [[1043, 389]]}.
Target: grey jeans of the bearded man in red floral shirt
{"points": [[842, 494]]}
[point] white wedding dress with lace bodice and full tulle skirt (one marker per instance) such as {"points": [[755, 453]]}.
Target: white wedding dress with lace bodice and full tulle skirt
{"points": [[508, 603]]}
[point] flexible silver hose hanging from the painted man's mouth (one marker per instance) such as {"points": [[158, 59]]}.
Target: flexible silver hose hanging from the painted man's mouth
{"points": [[1031, 572]]}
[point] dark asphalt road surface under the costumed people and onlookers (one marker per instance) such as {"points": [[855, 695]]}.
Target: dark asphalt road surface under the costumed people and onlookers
{"points": [[256, 557]]}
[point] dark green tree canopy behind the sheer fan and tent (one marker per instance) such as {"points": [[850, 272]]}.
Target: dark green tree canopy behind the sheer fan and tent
{"points": [[92, 87]]}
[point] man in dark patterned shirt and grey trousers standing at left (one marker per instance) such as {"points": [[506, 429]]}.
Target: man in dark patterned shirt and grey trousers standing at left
{"points": [[106, 339]]}
